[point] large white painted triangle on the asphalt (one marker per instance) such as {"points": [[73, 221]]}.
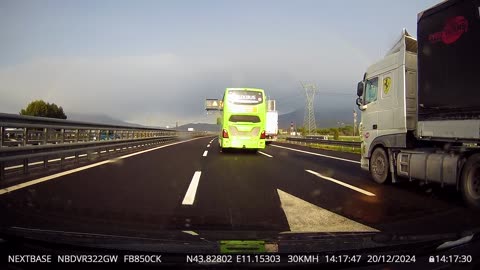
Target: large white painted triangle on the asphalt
{"points": [[318, 219]]}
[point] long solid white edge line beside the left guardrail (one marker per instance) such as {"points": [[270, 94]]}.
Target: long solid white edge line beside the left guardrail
{"points": [[57, 175]]}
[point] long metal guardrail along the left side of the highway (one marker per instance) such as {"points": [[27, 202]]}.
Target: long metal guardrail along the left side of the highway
{"points": [[31, 142]]}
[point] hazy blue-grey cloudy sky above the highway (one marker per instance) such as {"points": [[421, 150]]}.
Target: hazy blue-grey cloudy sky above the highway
{"points": [[155, 62]]}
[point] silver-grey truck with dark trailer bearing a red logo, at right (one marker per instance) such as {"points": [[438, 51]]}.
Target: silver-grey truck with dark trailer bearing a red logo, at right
{"points": [[420, 105]]}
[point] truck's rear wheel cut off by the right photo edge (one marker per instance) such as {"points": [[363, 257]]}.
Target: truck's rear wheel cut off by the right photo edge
{"points": [[470, 185]]}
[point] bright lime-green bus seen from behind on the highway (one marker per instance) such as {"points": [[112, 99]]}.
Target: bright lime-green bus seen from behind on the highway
{"points": [[242, 124]]}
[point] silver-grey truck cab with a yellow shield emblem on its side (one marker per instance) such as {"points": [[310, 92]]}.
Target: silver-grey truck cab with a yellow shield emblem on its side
{"points": [[387, 99]]}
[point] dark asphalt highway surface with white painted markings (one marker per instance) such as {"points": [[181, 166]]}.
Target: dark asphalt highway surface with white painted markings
{"points": [[191, 185]]}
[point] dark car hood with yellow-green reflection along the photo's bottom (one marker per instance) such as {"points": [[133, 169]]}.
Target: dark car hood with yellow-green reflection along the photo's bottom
{"points": [[234, 241]]}
